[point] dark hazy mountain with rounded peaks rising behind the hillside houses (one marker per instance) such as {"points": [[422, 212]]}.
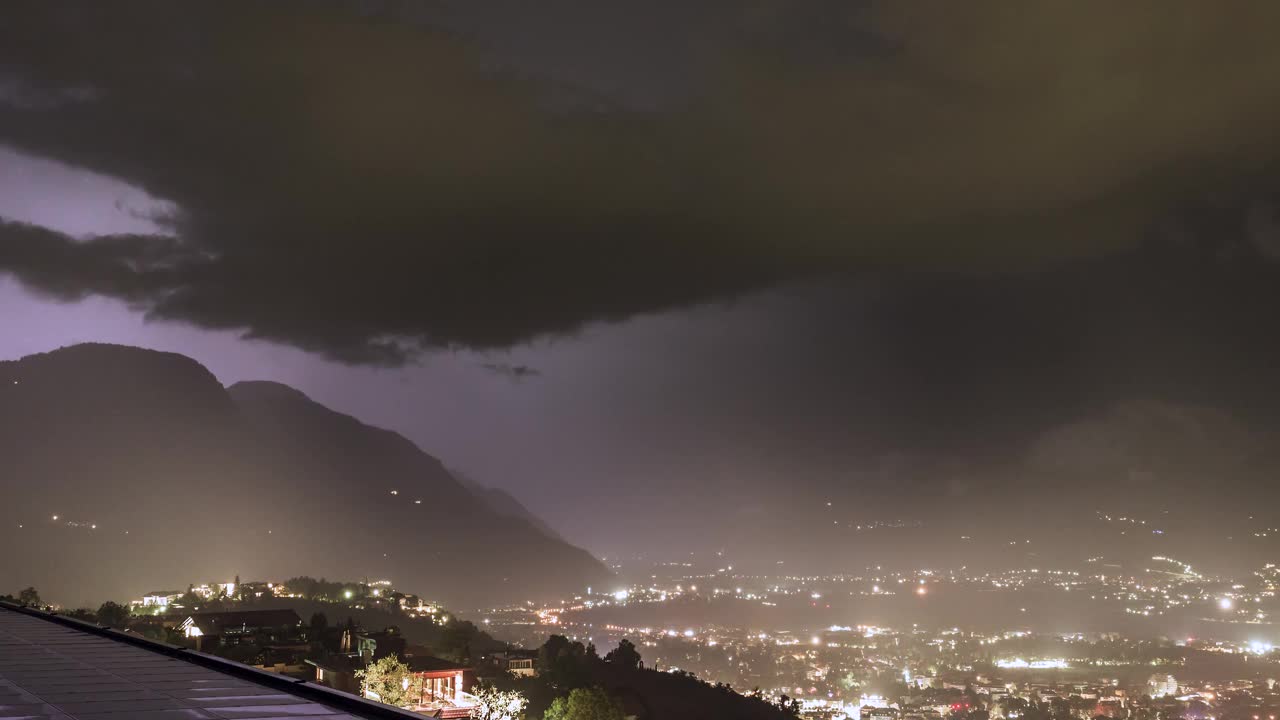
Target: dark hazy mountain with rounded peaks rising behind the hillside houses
{"points": [[159, 476]]}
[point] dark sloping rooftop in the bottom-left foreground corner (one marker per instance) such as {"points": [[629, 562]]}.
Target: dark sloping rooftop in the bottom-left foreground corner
{"points": [[58, 669]]}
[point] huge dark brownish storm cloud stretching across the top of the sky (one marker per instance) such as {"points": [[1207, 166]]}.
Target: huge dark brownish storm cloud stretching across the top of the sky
{"points": [[363, 186]]}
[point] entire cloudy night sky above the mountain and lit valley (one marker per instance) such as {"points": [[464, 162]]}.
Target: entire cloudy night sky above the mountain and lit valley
{"points": [[661, 268]]}
